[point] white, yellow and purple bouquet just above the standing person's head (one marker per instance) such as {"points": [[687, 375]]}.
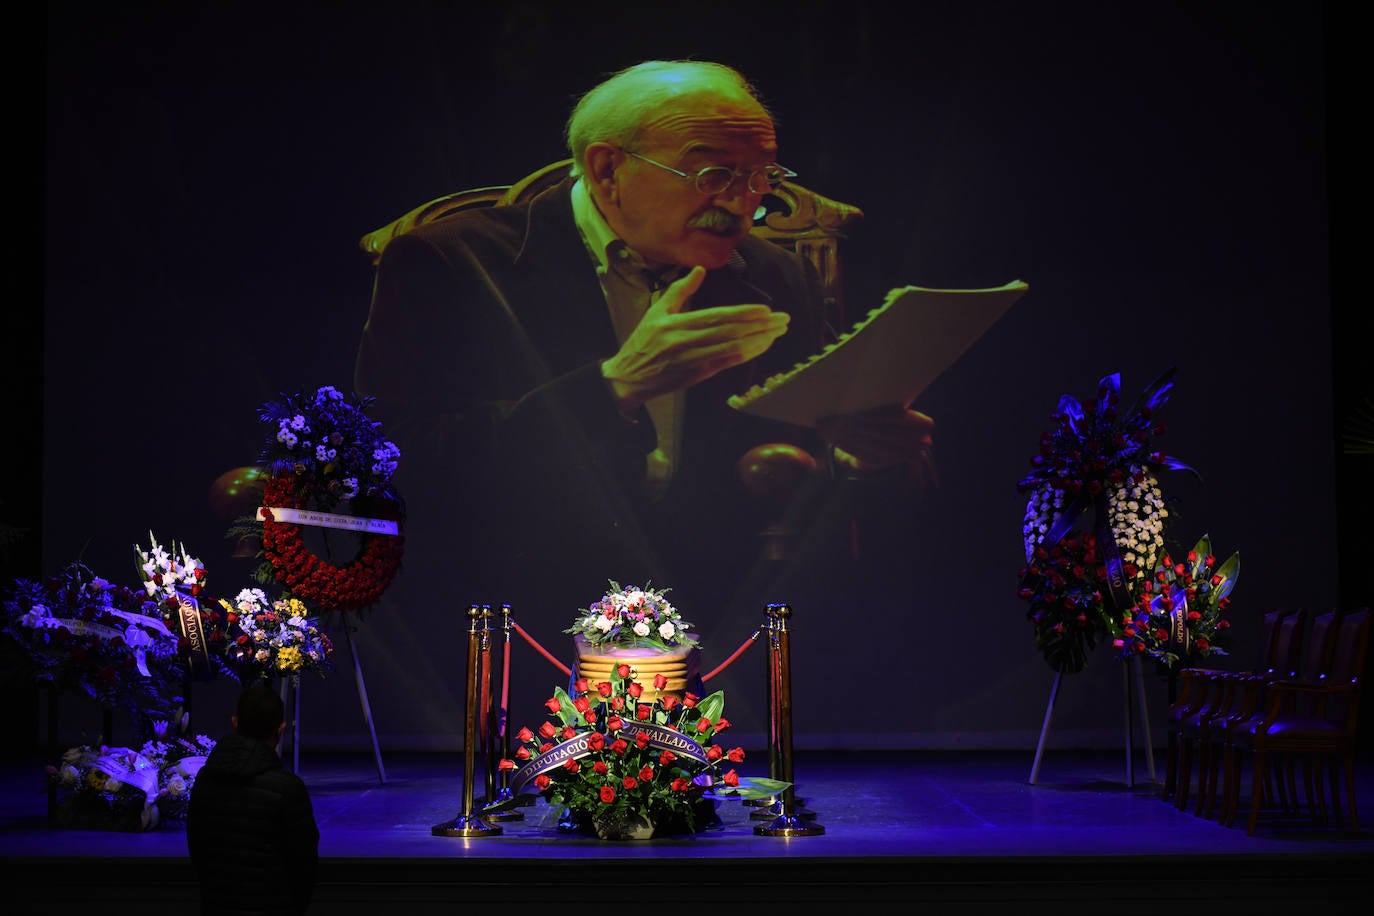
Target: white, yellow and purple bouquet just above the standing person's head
{"points": [[266, 639]]}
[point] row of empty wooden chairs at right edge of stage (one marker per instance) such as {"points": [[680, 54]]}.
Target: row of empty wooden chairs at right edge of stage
{"points": [[1295, 712]]}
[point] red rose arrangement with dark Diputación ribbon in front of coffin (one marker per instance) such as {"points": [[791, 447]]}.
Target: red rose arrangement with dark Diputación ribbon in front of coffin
{"points": [[631, 762]]}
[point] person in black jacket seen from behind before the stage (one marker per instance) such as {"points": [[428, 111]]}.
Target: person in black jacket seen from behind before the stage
{"points": [[251, 826]]}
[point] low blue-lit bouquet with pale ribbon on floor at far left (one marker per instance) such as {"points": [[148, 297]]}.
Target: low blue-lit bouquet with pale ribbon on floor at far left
{"points": [[126, 789]]}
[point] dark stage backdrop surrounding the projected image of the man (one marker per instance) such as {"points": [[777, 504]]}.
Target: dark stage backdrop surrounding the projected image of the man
{"points": [[1155, 171]]}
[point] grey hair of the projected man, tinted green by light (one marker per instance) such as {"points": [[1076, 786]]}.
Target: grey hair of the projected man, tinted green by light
{"points": [[616, 111]]}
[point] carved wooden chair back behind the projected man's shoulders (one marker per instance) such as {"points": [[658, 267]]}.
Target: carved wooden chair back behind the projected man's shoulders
{"points": [[798, 219]]}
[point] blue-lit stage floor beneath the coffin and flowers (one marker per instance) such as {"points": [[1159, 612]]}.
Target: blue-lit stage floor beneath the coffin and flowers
{"points": [[967, 830]]}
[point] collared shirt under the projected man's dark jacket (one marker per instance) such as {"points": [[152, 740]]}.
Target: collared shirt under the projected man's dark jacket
{"points": [[630, 288]]}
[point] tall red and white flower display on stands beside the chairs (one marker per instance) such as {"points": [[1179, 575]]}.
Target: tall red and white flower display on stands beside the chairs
{"points": [[1094, 532]]}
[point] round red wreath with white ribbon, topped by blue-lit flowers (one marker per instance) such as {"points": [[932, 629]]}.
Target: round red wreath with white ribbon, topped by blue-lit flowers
{"points": [[324, 453]]}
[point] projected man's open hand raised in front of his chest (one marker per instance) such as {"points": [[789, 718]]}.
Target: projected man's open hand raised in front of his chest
{"points": [[671, 350]]}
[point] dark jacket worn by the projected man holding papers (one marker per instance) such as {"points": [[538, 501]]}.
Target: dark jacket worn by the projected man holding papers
{"points": [[484, 350]]}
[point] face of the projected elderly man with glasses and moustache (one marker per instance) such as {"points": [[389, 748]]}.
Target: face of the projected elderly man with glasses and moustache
{"points": [[663, 216]]}
